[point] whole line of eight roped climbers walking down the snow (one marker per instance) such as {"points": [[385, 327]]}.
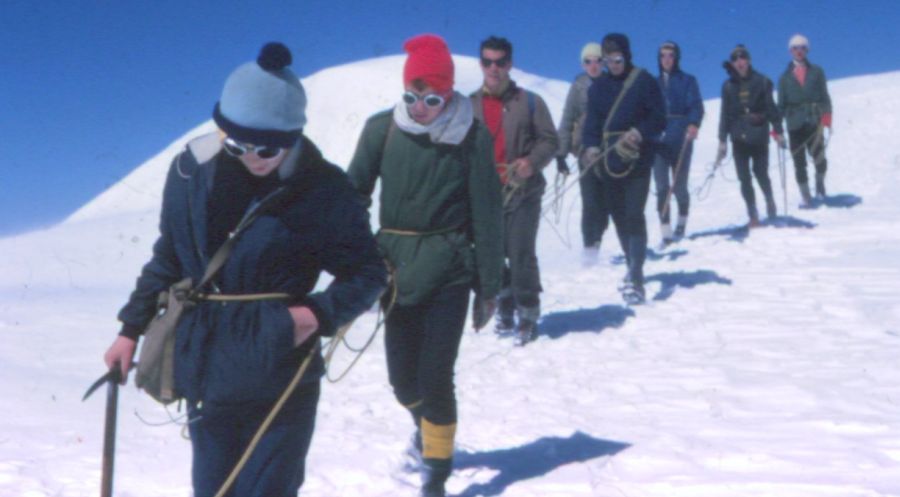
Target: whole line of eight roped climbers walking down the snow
{"points": [[460, 204]]}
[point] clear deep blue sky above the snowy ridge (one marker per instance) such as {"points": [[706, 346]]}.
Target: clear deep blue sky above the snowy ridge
{"points": [[91, 89]]}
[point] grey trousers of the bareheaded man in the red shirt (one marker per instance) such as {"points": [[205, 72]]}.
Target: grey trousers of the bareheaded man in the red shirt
{"points": [[522, 277]]}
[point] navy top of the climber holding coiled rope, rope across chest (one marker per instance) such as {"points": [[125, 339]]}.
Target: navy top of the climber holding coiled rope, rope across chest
{"points": [[642, 108]]}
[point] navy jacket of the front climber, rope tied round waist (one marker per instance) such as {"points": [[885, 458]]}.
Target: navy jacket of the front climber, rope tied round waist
{"points": [[240, 353]]}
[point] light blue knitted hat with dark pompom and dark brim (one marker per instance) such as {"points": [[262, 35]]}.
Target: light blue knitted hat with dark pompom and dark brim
{"points": [[263, 102]]}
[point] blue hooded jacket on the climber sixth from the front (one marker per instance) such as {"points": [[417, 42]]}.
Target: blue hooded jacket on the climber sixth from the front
{"points": [[684, 106]]}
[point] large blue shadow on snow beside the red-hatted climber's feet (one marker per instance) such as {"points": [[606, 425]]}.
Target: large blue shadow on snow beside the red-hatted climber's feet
{"points": [[532, 460]]}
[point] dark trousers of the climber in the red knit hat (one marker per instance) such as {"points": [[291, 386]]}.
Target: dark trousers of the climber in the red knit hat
{"points": [[421, 344]]}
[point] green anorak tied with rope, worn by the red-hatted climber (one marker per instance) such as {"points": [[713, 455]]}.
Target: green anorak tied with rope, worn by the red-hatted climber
{"points": [[440, 207]]}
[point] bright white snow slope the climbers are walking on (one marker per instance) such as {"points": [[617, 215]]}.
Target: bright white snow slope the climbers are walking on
{"points": [[765, 363]]}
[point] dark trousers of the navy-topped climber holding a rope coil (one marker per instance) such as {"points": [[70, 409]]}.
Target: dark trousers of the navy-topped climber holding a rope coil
{"points": [[627, 199]]}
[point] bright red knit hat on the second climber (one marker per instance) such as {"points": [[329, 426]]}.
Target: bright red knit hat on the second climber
{"points": [[429, 60]]}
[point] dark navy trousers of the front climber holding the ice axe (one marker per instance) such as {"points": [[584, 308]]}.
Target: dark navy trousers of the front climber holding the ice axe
{"points": [[276, 468]]}
